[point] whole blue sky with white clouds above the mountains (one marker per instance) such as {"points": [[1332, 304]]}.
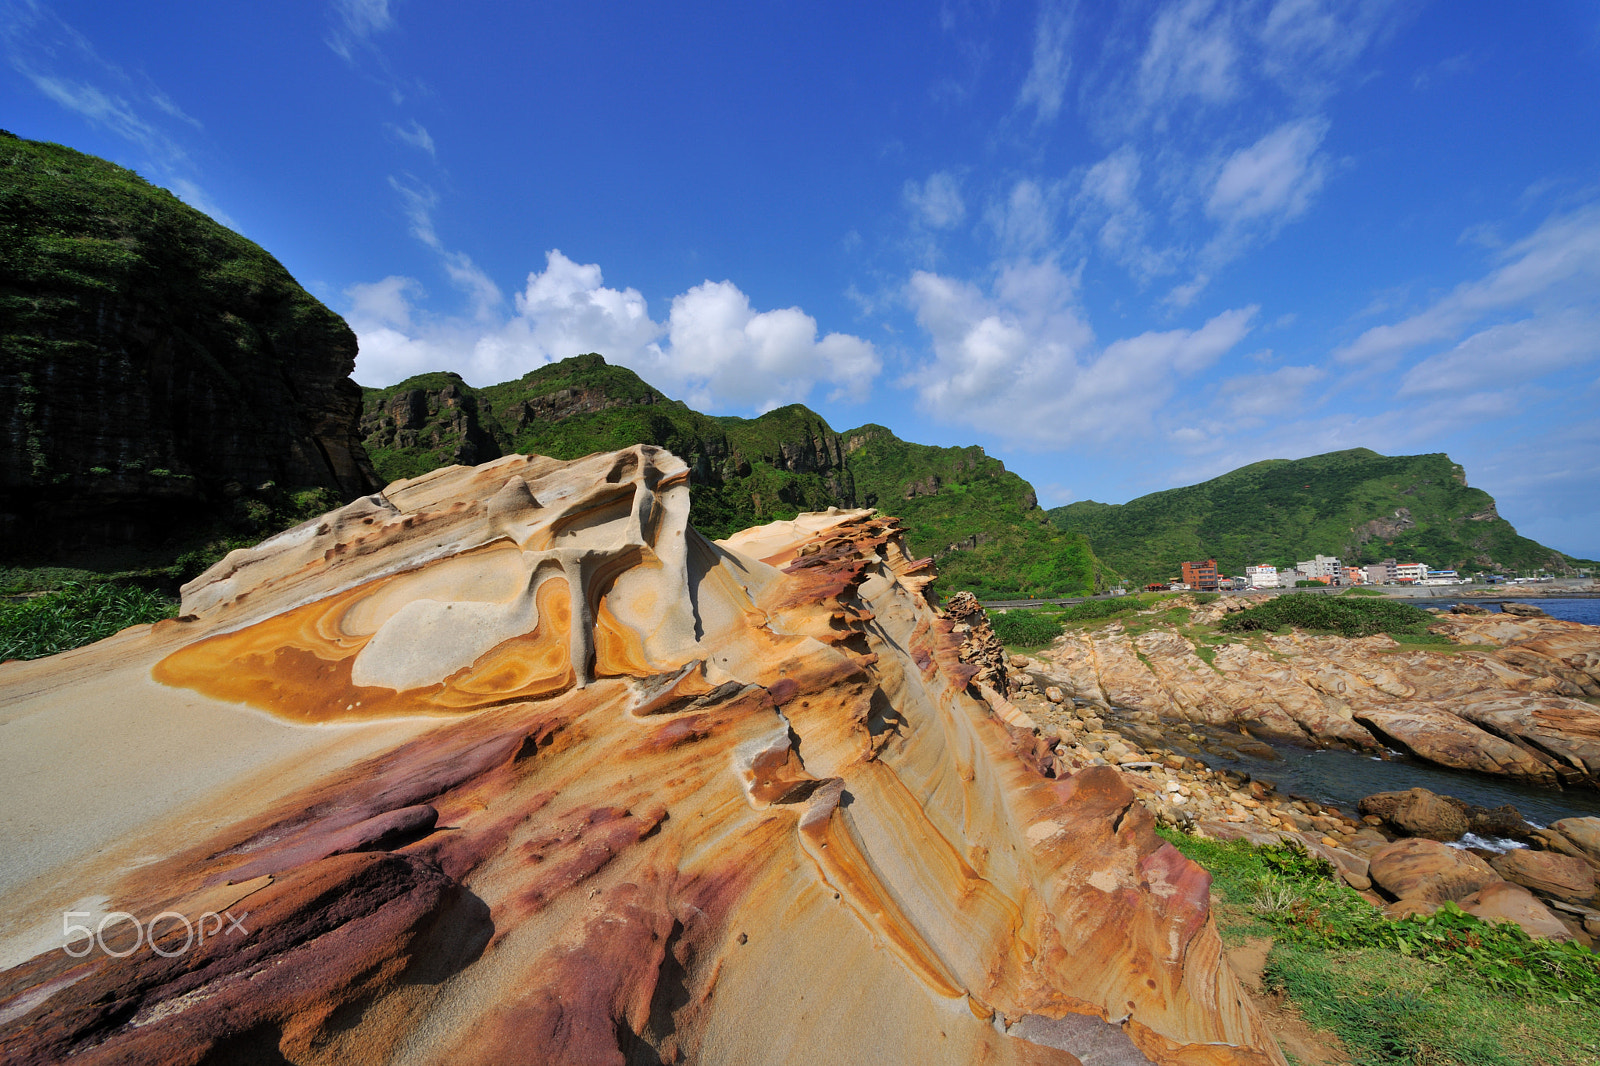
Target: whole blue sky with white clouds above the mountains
{"points": [[1124, 247]]}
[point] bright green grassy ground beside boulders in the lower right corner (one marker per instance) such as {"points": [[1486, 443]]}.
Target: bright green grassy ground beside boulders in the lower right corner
{"points": [[1447, 992]]}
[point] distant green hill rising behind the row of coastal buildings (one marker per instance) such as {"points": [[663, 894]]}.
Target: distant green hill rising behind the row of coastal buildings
{"points": [[1356, 505]]}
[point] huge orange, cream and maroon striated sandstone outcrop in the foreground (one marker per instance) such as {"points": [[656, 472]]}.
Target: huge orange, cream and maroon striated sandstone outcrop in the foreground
{"points": [[510, 764]]}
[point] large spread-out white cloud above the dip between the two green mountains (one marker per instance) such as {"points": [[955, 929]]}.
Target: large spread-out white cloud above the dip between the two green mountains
{"points": [[1022, 363]]}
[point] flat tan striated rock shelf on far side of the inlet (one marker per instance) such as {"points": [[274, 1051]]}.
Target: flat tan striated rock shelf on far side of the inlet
{"points": [[1514, 700]]}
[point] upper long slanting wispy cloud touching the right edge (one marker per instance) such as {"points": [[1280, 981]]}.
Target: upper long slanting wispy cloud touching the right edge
{"points": [[1553, 271]]}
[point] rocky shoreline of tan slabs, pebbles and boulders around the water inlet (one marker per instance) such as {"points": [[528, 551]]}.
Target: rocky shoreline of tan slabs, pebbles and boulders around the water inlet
{"points": [[1407, 852]]}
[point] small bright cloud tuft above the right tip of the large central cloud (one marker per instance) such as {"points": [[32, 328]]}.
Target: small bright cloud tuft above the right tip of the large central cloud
{"points": [[1274, 180]]}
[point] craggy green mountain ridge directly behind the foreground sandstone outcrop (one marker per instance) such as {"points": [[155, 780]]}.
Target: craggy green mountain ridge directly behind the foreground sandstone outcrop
{"points": [[964, 508]]}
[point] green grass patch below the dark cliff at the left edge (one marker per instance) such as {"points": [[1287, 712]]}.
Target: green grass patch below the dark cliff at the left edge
{"points": [[76, 615]]}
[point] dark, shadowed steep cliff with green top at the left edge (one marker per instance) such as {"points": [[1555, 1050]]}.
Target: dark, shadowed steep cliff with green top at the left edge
{"points": [[156, 361]]}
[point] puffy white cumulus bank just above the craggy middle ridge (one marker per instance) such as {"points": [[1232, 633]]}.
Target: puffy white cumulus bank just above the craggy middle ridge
{"points": [[714, 350]]}
